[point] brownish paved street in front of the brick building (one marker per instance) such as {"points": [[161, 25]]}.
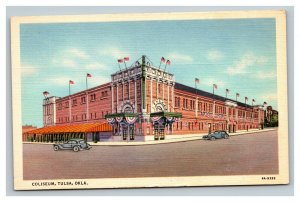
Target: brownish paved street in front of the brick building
{"points": [[240, 155]]}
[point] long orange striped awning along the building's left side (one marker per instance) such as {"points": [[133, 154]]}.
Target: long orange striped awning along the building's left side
{"points": [[73, 128]]}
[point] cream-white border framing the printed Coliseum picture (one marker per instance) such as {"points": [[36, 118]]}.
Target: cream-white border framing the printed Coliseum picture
{"points": [[281, 178]]}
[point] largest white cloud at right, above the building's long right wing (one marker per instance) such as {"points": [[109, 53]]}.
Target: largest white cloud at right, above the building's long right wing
{"points": [[245, 62]]}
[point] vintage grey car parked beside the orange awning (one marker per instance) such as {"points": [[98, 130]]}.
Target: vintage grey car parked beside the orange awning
{"points": [[72, 144]]}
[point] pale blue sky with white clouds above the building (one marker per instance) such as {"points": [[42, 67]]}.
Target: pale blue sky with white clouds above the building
{"points": [[238, 54]]}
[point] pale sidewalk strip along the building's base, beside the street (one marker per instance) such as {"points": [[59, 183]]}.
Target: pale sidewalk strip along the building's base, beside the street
{"points": [[180, 139]]}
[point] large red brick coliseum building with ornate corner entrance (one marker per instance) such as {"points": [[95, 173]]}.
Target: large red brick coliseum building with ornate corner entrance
{"points": [[144, 102]]}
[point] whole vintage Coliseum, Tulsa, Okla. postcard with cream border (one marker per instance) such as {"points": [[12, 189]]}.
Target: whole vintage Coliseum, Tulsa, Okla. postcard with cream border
{"points": [[150, 100]]}
